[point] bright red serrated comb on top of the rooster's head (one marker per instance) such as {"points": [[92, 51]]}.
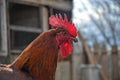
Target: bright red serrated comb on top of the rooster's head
{"points": [[58, 21]]}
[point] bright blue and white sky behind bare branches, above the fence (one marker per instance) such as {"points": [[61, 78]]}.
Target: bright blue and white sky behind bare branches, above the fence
{"points": [[89, 14]]}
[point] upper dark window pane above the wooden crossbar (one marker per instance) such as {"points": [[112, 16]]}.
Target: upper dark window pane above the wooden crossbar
{"points": [[24, 15]]}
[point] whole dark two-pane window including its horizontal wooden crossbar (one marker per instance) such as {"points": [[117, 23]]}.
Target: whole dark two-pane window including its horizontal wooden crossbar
{"points": [[24, 25]]}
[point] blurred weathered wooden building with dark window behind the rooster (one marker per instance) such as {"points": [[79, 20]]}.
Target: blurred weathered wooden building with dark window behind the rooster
{"points": [[21, 21]]}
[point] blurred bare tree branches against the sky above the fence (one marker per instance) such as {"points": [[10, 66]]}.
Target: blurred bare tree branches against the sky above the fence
{"points": [[109, 18]]}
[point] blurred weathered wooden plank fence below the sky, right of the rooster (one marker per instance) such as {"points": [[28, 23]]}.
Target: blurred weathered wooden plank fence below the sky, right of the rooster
{"points": [[107, 58]]}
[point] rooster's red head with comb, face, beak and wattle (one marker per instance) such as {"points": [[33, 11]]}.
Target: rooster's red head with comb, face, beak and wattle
{"points": [[66, 32]]}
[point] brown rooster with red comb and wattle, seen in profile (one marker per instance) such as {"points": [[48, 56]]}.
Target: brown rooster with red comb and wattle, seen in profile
{"points": [[38, 61]]}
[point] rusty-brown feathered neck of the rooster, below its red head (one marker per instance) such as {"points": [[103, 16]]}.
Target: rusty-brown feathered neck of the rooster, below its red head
{"points": [[40, 57]]}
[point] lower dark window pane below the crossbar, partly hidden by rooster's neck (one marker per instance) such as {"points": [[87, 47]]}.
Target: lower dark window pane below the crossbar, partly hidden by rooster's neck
{"points": [[20, 39]]}
